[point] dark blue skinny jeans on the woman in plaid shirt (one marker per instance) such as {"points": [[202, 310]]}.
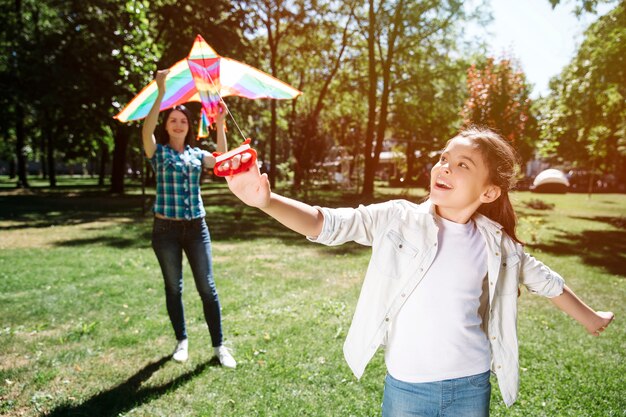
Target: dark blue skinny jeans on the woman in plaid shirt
{"points": [[169, 239]]}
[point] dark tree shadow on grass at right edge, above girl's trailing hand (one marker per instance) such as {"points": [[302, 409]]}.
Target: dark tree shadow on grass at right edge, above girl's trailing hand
{"points": [[601, 248]]}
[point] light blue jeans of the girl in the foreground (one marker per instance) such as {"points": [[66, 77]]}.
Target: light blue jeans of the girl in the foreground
{"points": [[461, 397]]}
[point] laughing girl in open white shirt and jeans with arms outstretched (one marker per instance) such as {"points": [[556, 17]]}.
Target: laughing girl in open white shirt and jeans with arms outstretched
{"points": [[441, 288]]}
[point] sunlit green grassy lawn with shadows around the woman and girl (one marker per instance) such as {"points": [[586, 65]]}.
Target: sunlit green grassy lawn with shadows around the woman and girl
{"points": [[84, 331]]}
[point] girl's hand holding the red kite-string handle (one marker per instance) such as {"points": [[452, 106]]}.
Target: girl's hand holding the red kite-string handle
{"points": [[250, 186]]}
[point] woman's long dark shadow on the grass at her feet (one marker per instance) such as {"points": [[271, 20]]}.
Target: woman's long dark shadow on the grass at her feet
{"points": [[129, 394]]}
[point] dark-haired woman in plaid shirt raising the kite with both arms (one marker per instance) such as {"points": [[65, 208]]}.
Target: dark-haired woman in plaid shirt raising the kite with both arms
{"points": [[179, 223]]}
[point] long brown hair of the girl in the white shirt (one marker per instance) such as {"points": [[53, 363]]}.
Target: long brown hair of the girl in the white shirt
{"points": [[502, 162]]}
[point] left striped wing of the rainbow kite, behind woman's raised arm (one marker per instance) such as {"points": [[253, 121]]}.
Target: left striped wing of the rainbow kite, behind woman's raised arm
{"points": [[179, 89]]}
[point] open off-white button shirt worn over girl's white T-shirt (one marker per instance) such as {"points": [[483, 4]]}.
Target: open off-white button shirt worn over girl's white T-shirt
{"points": [[403, 237]]}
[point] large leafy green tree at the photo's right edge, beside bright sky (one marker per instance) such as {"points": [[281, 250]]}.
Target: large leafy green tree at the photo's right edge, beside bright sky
{"points": [[584, 120]]}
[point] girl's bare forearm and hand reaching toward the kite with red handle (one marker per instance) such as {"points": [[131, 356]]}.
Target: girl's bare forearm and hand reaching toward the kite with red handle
{"points": [[254, 189]]}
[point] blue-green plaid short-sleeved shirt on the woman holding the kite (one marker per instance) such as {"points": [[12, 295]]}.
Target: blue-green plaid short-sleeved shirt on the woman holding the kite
{"points": [[178, 182]]}
